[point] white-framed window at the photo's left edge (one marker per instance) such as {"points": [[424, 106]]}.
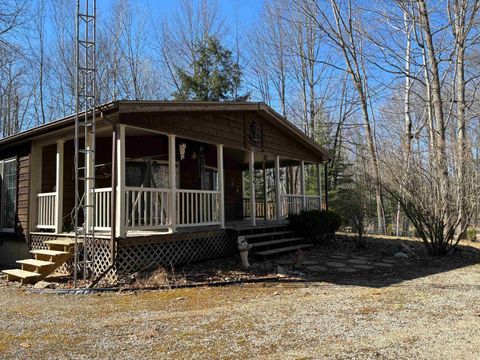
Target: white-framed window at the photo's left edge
{"points": [[8, 194]]}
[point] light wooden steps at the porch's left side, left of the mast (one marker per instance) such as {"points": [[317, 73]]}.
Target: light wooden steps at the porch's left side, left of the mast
{"points": [[44, 263]]}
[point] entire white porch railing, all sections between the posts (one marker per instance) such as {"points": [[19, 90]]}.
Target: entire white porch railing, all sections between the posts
{"points": [[148, 208]]}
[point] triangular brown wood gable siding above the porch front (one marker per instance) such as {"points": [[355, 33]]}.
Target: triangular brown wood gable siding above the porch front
{"points": [[227, 128]]}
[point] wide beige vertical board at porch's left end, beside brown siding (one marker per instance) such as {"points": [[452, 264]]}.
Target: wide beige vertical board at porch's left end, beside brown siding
{"points": [[35, 184]]}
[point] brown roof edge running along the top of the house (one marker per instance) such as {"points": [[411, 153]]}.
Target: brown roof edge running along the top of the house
{"points": [[111, 110]]}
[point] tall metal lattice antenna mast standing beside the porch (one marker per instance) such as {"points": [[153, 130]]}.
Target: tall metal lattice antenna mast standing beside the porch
{"points": [[85, 133]]}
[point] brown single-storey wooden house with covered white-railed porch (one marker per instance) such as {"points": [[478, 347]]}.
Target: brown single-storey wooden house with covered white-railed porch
{"points": [[174, 182]]}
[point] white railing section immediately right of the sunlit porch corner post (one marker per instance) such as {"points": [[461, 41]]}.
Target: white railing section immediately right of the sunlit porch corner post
{"points": [[146, 208]]}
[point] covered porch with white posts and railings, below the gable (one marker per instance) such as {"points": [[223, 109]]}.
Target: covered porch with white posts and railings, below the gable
{"points": [[151, 182]]}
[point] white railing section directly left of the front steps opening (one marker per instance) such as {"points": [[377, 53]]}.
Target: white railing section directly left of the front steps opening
{"points": [[197, 207]]}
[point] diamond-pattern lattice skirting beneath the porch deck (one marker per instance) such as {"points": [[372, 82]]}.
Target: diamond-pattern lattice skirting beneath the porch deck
{"points": [[135, 254]]}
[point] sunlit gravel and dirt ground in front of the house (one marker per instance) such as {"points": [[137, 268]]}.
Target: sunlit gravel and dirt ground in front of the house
{"points": [[418, 308]]}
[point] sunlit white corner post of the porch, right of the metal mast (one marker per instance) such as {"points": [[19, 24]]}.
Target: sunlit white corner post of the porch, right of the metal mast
{"points": [[120, 229]]}
